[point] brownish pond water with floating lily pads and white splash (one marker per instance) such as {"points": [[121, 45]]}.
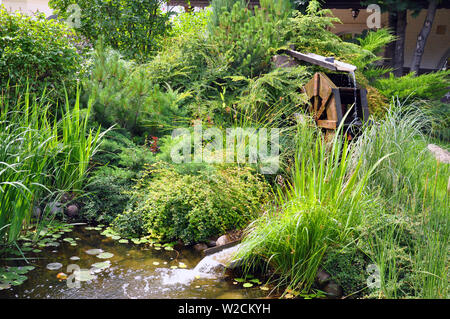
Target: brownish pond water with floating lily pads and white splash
{"points": [[135, 271]]}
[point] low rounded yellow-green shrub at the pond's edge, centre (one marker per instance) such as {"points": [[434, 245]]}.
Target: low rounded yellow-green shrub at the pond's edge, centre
{"points": [[194, 207]]}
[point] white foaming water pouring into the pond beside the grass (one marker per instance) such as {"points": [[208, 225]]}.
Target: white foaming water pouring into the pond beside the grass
{"points": [[209, 267]]}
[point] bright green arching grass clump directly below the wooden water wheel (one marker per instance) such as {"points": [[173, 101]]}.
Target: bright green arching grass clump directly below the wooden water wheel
{"points": [[320, 208]]}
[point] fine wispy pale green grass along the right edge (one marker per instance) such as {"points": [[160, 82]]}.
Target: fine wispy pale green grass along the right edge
{"points": [[409, 237]]}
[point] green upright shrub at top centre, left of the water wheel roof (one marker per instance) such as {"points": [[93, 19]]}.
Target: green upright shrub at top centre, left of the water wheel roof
{"points": [[249, 38]]}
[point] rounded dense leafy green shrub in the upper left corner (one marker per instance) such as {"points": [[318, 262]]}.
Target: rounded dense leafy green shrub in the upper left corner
{"points": [[39, 52]]}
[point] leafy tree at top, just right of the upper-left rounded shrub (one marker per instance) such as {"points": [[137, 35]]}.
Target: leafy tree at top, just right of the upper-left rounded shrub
{"points": [[132, 27]]}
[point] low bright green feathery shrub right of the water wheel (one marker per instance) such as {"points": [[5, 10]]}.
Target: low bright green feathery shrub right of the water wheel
{"points": [[431, 86]]}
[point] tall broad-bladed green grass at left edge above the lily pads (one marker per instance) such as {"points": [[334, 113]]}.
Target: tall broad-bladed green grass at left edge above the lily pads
{"points": [[39, 156]]}
